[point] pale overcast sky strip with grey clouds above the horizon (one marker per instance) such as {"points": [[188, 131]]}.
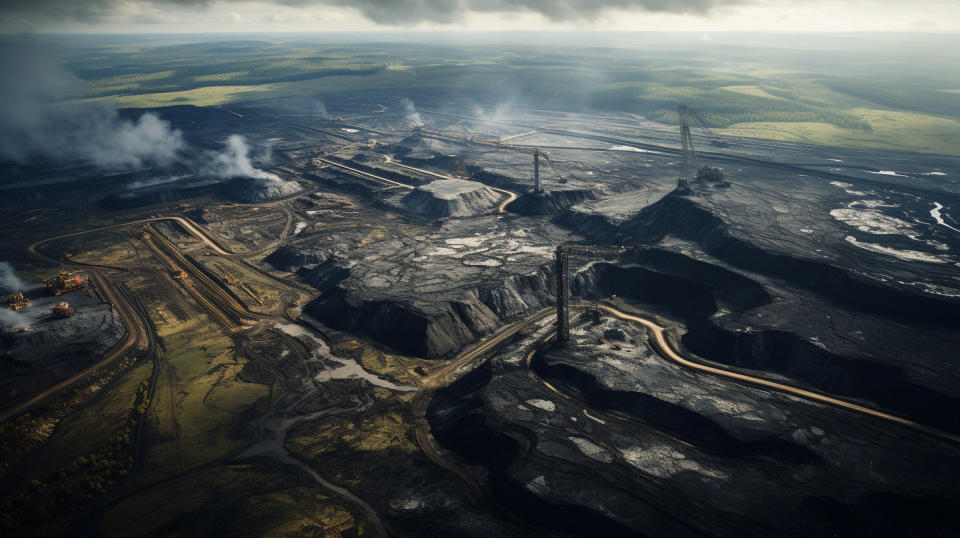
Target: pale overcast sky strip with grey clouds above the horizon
{"points": [[198, 16]]}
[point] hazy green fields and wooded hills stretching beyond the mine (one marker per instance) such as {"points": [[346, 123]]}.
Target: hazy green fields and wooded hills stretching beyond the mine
{"points": [[912, 106]]}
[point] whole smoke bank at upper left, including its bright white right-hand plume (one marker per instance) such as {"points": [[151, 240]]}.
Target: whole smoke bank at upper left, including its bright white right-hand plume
{"points": [[42, 118]]}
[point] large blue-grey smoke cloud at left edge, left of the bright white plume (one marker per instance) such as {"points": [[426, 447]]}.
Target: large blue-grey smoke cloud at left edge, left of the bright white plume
{"points": [[33, 126]]}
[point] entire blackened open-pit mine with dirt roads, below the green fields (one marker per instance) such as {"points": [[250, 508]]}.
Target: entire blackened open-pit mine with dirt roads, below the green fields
{"points": [[546, 324]]}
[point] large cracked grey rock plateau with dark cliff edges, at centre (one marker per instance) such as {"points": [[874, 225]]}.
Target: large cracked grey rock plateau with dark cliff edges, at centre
{"points": [[431, 293]]}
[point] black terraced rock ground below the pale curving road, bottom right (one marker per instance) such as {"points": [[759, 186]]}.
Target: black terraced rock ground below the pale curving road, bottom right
{"points": [[579, 462]]}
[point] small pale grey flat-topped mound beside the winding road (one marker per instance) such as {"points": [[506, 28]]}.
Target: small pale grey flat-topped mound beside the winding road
{"points": [[452, 198]]}
